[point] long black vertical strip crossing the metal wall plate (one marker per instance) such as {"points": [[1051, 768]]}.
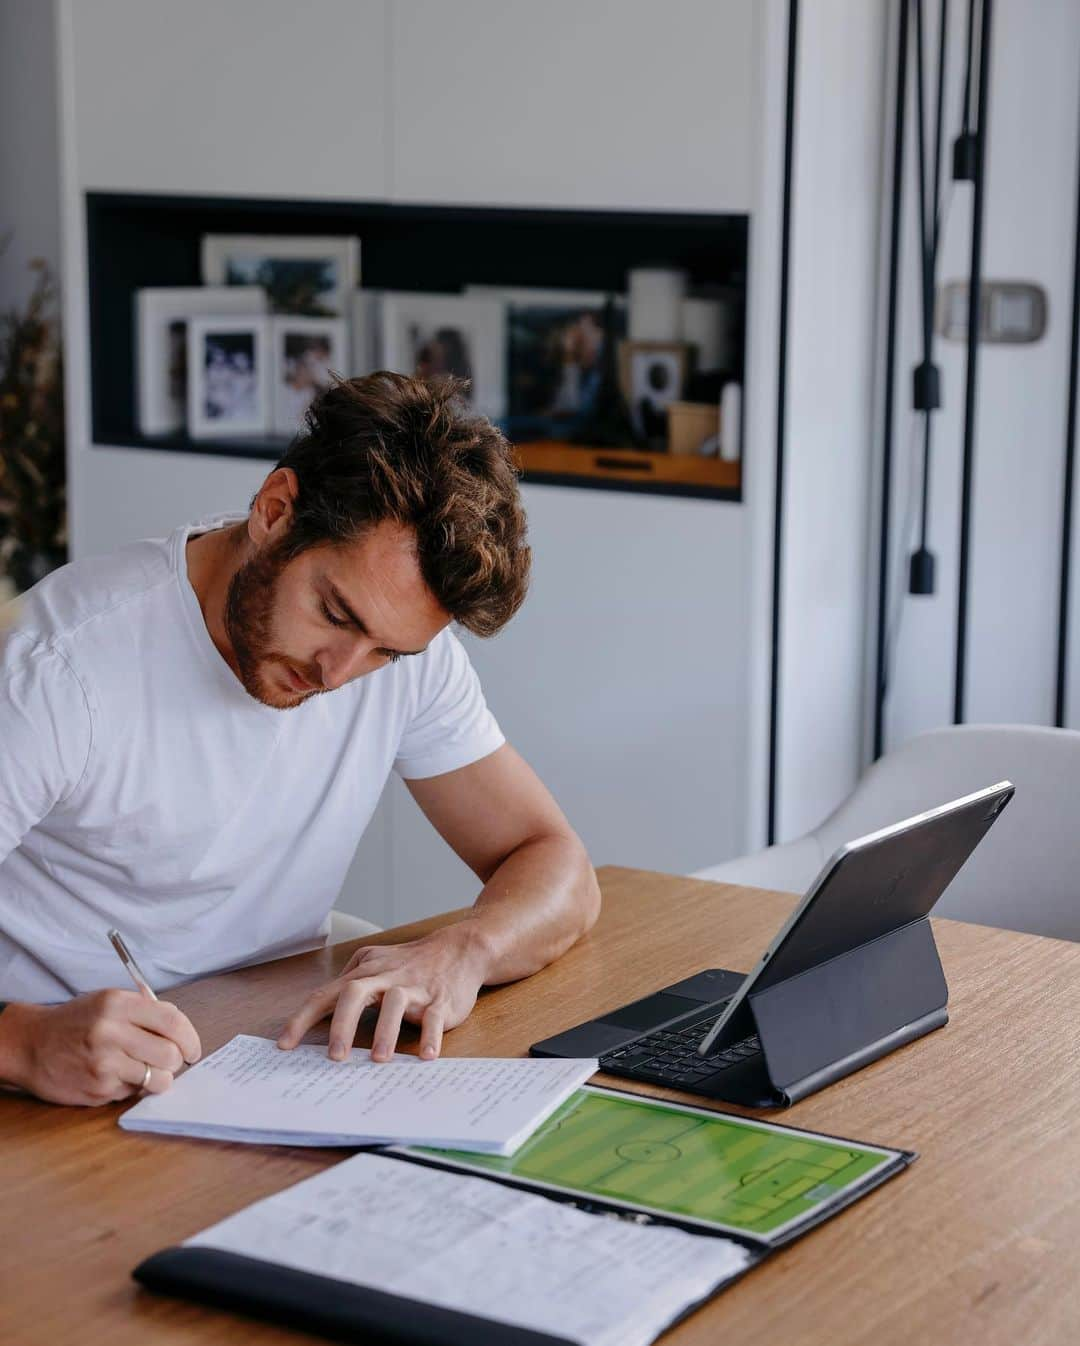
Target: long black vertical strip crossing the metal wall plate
{"points": [[973, 359]]}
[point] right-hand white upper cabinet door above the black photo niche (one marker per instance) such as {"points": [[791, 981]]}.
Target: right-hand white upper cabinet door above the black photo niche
{"points": [[599, 104]]}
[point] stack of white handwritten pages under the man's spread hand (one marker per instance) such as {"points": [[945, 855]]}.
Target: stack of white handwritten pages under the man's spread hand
{"points": [[252, 1091]]}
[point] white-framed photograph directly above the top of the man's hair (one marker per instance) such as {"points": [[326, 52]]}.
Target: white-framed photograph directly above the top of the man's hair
{"points": [[449, 334]]}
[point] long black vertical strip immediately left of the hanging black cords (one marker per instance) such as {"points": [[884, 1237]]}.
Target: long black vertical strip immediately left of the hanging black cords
{"points": [[891, 361]]}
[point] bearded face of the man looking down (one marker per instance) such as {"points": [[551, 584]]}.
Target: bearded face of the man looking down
{"points": [[331, 616]]}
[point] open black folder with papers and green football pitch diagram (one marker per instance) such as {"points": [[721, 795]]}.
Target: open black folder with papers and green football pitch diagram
{"points": [[619, 1217]]}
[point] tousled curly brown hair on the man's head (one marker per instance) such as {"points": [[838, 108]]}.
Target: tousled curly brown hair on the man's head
{"points": [[410, 450]]}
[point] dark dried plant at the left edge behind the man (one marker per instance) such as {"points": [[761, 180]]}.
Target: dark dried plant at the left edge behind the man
{"points": [[33, 469]]}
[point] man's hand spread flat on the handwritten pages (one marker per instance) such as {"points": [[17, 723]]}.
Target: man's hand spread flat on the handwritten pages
{"points": [[432, 982]]}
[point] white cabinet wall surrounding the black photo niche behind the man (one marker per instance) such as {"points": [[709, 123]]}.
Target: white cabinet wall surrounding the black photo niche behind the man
{"points": [[626, 678]]}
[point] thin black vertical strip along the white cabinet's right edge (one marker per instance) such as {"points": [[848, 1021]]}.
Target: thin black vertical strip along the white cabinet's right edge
{"points": [[786, 248]]}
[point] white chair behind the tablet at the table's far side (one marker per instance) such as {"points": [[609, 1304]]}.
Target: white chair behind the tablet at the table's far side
{"points": [[1025, 874]]}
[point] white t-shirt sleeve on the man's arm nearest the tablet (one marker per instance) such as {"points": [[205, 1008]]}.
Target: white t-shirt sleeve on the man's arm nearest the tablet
{"points": [[450, 723]]}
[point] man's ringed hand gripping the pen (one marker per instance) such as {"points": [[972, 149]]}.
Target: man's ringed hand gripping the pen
{"points": [[96, 1048]]}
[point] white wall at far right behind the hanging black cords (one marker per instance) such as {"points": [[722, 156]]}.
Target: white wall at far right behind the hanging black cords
{"points": [[1030, 219]]}
